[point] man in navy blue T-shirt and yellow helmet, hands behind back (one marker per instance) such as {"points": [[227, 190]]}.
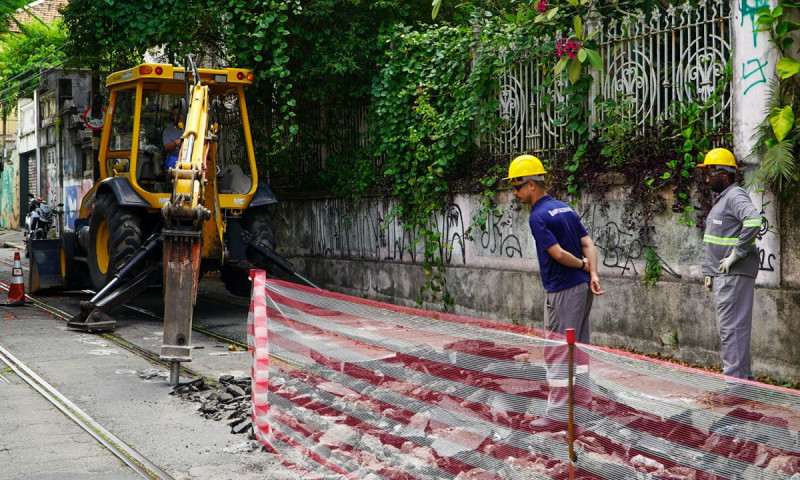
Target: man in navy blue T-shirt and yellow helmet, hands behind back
{"points": [[568, 265]]}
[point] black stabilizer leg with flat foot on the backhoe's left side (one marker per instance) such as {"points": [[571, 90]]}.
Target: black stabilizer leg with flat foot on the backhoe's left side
{"points": [[94, 313]]}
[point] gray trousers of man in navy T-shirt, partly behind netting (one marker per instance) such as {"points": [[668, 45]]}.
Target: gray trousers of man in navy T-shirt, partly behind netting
{"points": [[567, 309]]}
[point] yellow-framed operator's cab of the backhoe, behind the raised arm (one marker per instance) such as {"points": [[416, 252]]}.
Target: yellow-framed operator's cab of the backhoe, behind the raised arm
{"points": [[141, 113]]}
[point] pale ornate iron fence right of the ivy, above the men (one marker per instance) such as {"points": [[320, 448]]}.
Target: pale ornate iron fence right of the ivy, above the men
{"points": [[675, 55]]}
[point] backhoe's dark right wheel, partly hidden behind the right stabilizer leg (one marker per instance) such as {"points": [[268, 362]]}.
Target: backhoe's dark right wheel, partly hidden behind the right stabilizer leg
{"points": [[257, 222]]}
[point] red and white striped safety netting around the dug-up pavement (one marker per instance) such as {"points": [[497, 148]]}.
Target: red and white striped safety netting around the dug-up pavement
{"points": [[345, 387]]}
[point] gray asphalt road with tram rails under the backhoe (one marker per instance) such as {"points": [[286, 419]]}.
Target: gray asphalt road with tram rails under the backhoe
{"points": [[121, 391]]}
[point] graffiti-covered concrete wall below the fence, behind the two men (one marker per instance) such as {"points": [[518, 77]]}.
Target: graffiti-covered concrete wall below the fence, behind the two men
{"points": [[352, 248]]}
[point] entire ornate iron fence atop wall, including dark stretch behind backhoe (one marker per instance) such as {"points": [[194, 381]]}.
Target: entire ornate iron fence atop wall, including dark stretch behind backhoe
{"points": [[674, 55]]}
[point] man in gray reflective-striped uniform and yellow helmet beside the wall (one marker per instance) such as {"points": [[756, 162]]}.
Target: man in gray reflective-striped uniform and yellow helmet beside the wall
{"points": [[730, 263]]}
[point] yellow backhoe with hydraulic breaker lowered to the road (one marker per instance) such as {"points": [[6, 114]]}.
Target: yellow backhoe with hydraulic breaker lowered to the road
{"points": [[149, 217]]}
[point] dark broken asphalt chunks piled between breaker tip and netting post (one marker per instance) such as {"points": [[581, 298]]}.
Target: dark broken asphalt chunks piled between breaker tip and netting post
{"points": [[229, 401]]}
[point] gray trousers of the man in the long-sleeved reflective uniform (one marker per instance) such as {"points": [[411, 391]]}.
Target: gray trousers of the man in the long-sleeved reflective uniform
{"points": [[733, 297]]}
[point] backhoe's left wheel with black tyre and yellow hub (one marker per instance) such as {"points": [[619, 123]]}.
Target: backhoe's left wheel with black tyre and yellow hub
{"points": [[115, 234]]}
